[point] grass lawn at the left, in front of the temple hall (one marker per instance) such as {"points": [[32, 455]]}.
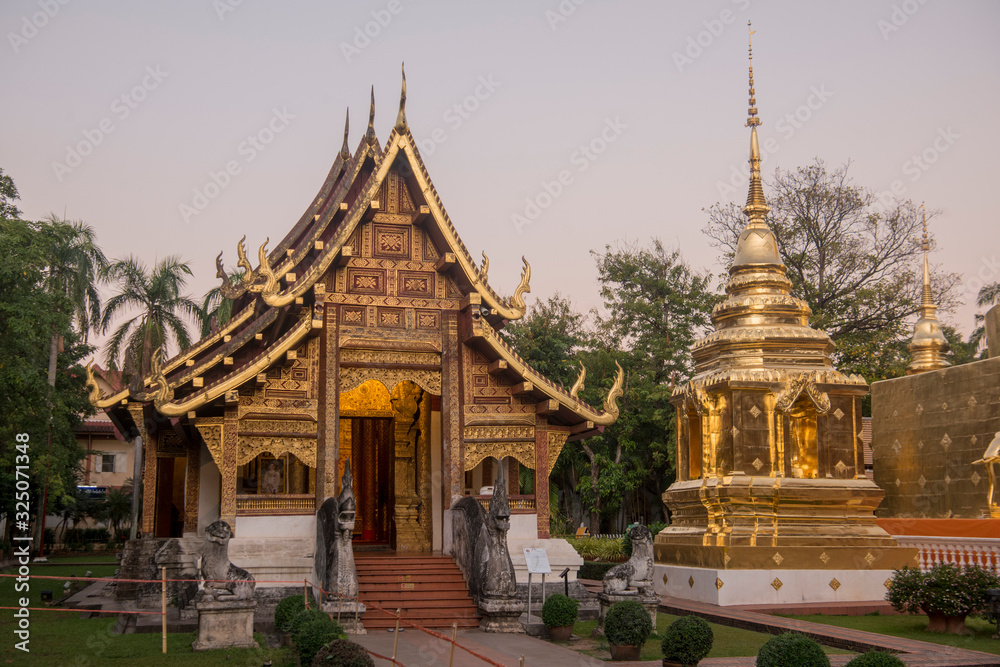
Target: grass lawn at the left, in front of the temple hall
{"points": [[63, 638]]}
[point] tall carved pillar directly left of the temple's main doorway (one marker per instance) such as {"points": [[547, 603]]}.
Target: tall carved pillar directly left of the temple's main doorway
{"points": [[328, 412]]}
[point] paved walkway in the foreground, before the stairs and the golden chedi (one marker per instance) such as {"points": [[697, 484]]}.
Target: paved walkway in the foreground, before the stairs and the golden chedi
{"points": [[416, 648]]}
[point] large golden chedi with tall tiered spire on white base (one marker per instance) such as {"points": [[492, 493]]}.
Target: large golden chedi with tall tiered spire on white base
{"points": [[771, 502]]}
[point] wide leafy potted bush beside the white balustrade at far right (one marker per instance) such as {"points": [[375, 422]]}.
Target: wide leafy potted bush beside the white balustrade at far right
{"points": [[946, 593]]}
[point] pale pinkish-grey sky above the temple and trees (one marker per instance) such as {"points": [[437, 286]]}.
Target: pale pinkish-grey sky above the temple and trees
{"points": [[118, 113]]}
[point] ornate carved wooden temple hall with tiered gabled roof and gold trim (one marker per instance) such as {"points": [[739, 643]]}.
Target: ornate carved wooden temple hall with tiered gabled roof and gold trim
{"points": [[367, 333]]}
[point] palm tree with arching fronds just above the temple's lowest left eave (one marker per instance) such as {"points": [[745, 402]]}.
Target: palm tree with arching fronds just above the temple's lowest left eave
{"points": [[157, 295]]}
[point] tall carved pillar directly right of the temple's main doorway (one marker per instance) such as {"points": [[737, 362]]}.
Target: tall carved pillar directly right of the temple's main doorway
{"points": [[452, 473]]}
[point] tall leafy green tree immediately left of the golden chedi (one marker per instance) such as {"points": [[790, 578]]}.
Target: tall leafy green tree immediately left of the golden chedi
{"points": [[657, 306]]}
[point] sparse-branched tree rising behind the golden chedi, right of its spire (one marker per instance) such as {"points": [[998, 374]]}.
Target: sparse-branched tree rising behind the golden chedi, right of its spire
{"points": [[853, 258]]}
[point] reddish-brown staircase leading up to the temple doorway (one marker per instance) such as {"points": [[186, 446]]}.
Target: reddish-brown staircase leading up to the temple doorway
{"points": [[430, 589]]}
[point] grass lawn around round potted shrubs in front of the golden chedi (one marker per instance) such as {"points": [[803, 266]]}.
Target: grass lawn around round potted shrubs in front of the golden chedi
{"points": [[729, 642]]}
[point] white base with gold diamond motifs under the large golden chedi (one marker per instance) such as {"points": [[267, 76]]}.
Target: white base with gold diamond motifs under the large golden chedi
{"points": [[777, 586]]}
